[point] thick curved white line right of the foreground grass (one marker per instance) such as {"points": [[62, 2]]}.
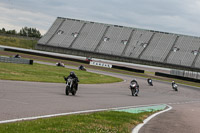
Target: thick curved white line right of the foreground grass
{"points": [[138, 127]]}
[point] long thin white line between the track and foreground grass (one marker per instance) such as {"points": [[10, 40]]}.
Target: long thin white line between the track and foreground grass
{"points": [[70, 113]]}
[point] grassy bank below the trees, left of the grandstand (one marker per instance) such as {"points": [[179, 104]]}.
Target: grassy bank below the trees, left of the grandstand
{"points": [[17, 42]]}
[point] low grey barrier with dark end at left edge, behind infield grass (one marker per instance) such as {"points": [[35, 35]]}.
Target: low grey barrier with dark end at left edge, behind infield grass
{"points": [[15, 60]]}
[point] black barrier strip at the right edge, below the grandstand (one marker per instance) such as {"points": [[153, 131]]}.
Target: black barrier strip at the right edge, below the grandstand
{"points": [[177, 77]]}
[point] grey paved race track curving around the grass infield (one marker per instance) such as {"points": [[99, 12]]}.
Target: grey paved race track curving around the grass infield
{"points": [[20, 99]]}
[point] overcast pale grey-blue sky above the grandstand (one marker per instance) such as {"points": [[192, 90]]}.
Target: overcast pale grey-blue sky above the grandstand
{"points": [[174, 16]]}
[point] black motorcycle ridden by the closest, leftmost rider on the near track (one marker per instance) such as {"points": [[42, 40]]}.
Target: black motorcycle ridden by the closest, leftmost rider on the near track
{"points": [[71, 86]]}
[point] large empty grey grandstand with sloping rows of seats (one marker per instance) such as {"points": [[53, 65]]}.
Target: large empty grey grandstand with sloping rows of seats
{"points": [[121, 43]]}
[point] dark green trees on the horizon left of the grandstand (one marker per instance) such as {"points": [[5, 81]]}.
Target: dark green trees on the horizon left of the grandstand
{"points": [[25, 31]]}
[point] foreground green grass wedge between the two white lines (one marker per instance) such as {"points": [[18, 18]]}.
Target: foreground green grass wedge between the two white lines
{"points": [[99, 122]]}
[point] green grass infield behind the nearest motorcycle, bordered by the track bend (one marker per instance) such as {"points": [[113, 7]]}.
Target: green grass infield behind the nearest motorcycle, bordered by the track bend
{"points": [[46, 73]]}
